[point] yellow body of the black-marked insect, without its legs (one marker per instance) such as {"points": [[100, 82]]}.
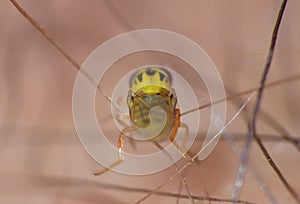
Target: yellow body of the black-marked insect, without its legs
{"points": [[151, 87]]}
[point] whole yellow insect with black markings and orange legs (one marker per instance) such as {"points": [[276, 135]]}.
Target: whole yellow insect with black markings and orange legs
{"points": [[150, 87]]}
